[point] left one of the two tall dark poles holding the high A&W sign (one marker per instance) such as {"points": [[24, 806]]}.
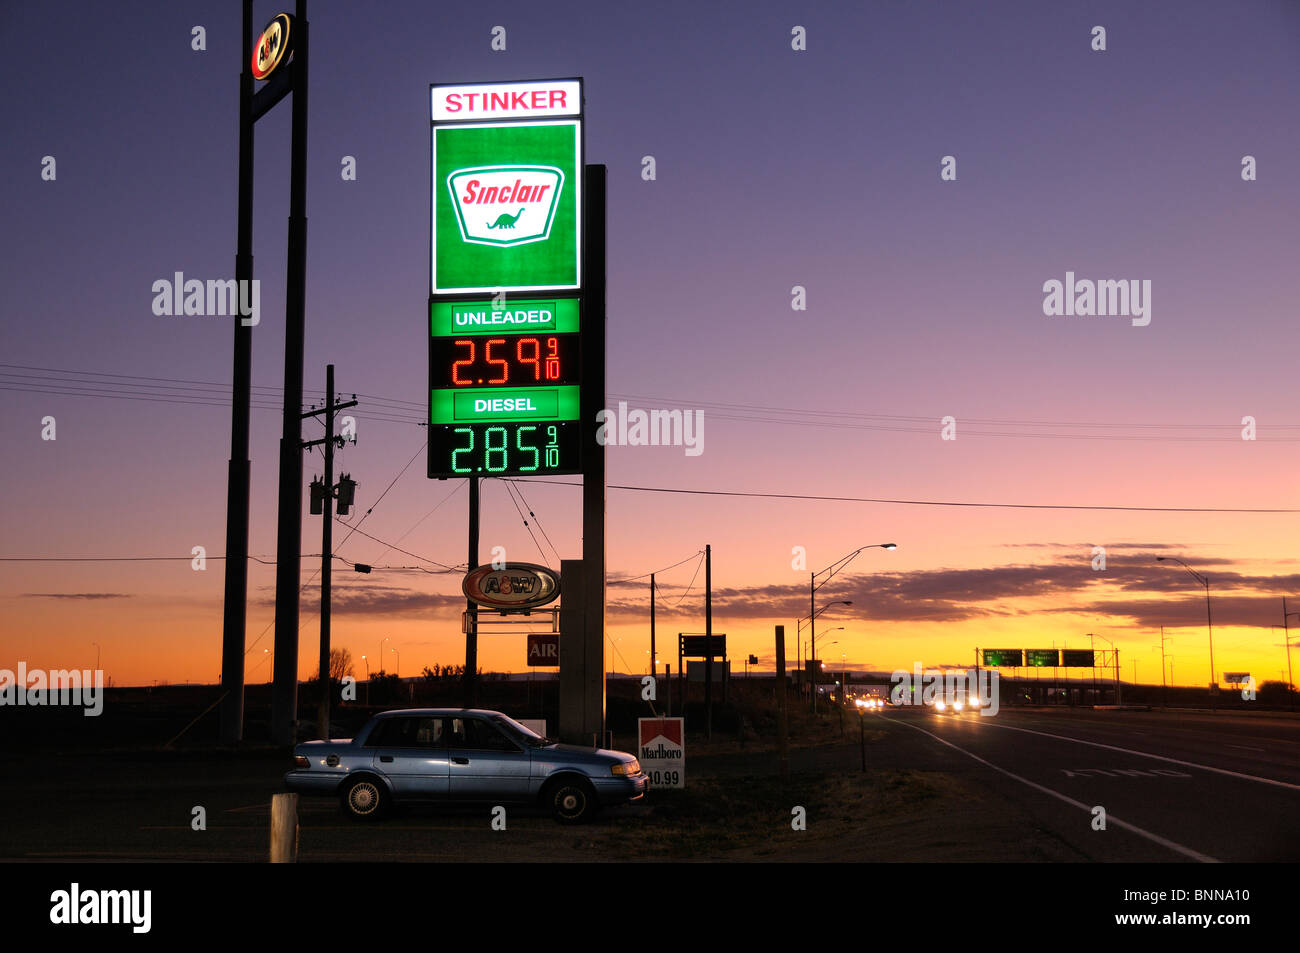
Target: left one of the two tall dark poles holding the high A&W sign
{"points": [[236, 607]]}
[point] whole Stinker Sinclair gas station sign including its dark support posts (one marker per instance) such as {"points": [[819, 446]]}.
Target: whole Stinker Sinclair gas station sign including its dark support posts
{"points": [[517, 332]]}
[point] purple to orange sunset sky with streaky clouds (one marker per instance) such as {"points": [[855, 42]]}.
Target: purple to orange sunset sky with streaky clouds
{"points": [[775, 168]]}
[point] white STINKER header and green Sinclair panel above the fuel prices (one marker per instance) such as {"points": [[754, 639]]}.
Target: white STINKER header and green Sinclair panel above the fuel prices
{"points": [[508, 188]]}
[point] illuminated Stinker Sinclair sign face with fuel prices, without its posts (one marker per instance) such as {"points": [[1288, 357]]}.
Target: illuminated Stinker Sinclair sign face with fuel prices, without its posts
{"points": [[505, 279]]}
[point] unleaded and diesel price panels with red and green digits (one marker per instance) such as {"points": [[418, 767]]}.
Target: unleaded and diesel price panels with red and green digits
{"points": [[504, 385]]}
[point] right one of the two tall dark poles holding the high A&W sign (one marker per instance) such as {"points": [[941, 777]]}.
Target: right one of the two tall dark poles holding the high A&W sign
{"points": [[289, 534]]}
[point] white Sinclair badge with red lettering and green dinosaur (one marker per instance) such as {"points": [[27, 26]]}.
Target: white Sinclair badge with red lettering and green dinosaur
{"points": [[505, 206]]}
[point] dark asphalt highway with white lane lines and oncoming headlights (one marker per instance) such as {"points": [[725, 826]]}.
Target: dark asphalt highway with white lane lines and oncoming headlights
{"points": [[1175, 787]]}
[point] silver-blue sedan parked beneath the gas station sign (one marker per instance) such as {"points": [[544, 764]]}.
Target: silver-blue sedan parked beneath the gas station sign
{"points": [[462, 756]]}
